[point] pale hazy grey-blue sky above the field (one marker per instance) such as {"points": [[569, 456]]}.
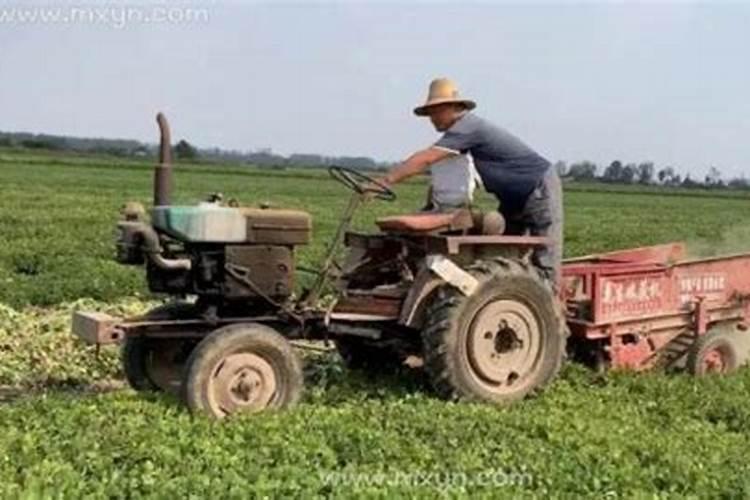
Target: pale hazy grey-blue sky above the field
{"points": [[665, 82]]}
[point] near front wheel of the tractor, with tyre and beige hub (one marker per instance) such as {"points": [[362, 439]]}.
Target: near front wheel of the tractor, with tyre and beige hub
{"points": [[243, 368]]}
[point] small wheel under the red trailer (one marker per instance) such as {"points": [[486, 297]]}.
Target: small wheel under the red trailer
{"points": [[715, 352]]}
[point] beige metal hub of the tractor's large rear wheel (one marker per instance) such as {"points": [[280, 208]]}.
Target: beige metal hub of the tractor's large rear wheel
{"points": [[503, 343]]}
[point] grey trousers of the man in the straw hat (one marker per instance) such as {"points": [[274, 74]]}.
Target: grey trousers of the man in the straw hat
{"points": [[542, 215]]}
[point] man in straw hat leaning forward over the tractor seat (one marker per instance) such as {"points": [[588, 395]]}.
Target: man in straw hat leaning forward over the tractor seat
{"points": [[525, 184]]}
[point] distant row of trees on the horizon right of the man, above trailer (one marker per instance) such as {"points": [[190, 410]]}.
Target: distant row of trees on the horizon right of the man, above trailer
{"points": [[646, 173]]}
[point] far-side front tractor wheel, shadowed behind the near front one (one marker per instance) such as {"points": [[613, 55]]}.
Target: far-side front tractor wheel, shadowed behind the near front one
{"points": [[152, 364]]}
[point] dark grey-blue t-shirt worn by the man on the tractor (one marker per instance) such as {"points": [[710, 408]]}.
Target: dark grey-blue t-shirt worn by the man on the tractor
{"points": [[509, 168]]}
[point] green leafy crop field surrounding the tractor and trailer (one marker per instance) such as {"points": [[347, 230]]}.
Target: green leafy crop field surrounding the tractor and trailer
{"points": [[70, 428]]}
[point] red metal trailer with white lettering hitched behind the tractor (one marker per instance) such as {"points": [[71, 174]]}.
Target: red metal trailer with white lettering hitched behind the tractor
{"points": [[645, 307]]}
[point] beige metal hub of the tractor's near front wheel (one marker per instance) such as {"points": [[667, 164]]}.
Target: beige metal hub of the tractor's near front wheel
{"points": [[242, 382]]}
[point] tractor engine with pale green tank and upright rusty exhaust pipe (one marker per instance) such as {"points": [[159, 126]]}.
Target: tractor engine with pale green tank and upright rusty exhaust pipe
{"points": [[223, 254]]}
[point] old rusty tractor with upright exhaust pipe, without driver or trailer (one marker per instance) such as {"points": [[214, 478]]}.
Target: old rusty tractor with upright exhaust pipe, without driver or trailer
{"points": [[444, 291]]}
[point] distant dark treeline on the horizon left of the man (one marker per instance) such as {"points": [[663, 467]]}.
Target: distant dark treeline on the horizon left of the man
{"points": [[182, 150]]}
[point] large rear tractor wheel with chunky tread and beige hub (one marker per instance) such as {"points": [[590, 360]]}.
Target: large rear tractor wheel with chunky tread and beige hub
{"points": [[498, 345]]}
